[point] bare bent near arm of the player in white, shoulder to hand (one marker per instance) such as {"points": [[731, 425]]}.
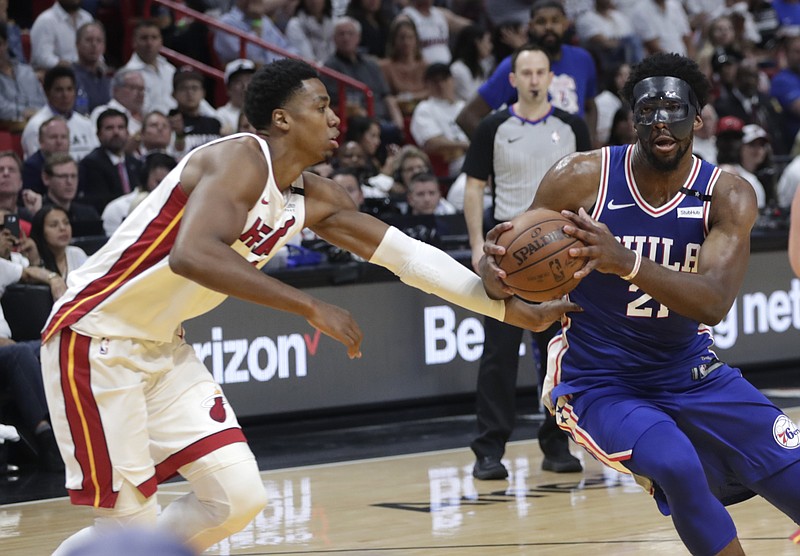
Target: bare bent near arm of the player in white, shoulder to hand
{"points": [[223, 182]]}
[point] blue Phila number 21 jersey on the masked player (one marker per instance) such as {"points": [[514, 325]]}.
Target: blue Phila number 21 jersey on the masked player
{"points": [[624, 335]]}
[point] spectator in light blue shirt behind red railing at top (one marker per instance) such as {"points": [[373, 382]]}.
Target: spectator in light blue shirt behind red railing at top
{"points": [[251, 17]]}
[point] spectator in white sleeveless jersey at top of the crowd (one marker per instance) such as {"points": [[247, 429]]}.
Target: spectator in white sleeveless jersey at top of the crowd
{"points": [[434, 26]]}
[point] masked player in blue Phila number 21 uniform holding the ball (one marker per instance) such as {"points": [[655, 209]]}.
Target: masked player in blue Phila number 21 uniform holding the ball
{"points": [[634, 378]]}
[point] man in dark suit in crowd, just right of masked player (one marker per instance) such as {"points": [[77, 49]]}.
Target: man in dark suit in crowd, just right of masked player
{"points": [[750, 105]]}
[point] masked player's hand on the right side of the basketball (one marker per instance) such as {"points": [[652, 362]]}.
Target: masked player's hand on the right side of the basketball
{"points": [[602, 250]]}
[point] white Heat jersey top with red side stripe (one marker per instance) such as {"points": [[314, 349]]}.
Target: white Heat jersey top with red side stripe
{"points": [[127, 289]]}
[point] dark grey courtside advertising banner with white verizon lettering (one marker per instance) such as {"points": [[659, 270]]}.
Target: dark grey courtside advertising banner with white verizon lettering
{"points": [[417, 346]]}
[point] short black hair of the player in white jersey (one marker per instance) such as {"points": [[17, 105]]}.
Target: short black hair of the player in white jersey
{"points": [[272, 86]]}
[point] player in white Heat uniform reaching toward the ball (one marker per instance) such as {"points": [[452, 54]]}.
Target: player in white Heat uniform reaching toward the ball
{"points": [[131, 404]]}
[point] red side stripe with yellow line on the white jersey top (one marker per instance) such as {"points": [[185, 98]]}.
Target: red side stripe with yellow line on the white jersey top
{"points": [[153, 245]]}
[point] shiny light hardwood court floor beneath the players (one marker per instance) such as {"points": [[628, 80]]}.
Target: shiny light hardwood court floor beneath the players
{"points": [[428, 504]]}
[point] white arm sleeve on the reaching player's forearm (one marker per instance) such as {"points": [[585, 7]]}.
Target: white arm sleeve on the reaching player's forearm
{"points": [[433, 271]]}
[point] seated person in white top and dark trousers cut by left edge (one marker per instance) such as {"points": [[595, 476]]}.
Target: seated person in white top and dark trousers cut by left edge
{"points": [[20, 370]]}
